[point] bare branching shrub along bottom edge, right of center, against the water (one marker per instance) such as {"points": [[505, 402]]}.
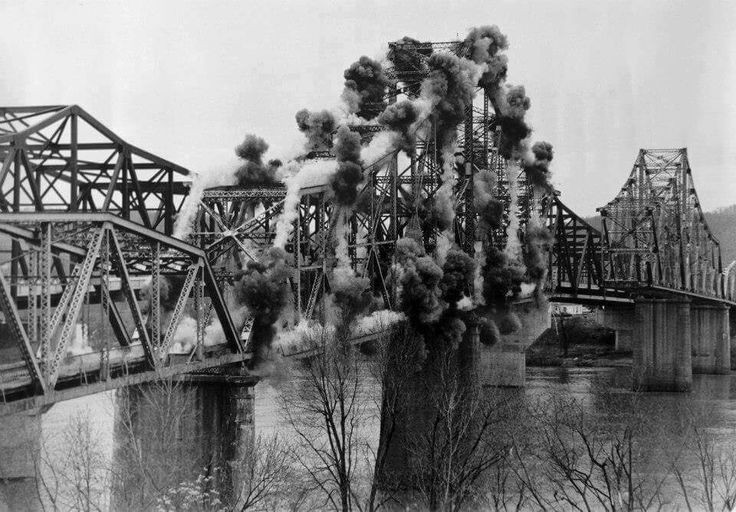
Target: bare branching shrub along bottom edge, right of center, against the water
{"points": [[582, 463]]}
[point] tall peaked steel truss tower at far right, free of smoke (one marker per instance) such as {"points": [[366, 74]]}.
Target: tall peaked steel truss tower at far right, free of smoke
{"points": [[655, 231]]}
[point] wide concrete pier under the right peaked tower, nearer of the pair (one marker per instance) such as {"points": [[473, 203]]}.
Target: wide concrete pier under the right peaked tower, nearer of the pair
{"points": [[662, 350]]}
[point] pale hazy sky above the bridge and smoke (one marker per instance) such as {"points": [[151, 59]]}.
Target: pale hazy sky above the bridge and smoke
{"points": [[187, 80]]}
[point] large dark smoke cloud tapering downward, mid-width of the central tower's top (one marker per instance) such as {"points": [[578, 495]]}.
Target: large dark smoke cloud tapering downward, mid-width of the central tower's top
{"points": [[451, 89]]}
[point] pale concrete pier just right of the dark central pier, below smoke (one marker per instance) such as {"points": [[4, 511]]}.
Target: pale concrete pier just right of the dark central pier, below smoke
{"points": [[504, 363]]}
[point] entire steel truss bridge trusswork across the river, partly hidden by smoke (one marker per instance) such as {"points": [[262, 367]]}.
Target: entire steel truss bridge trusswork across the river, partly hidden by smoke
{"points": [[97, 294]]}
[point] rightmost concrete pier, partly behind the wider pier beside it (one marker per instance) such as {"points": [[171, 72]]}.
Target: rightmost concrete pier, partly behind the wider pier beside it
{"points": [[711, 340]]}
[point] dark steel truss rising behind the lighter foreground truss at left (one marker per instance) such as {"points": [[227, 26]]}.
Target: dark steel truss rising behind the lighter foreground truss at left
{"points": [[60, 158]]}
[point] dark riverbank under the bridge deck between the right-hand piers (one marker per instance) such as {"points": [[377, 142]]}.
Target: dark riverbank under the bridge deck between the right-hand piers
{"points": [[576, 341]]}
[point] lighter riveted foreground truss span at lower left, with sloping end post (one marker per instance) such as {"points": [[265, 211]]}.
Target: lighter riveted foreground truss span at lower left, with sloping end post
{"points": [[79, 317]]}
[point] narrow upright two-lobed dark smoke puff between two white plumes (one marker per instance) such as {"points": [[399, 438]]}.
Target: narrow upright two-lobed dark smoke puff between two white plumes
{"points": [[349, 172]]}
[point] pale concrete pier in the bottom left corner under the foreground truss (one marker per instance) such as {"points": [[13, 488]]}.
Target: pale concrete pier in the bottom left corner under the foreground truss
{"points": [[20, 437]]}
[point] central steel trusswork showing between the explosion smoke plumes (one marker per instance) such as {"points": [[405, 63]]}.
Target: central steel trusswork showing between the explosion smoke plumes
{"points": [[235, 225]]}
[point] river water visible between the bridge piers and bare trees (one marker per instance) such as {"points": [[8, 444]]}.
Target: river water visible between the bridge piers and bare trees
{"points": [[605, 393]]}
